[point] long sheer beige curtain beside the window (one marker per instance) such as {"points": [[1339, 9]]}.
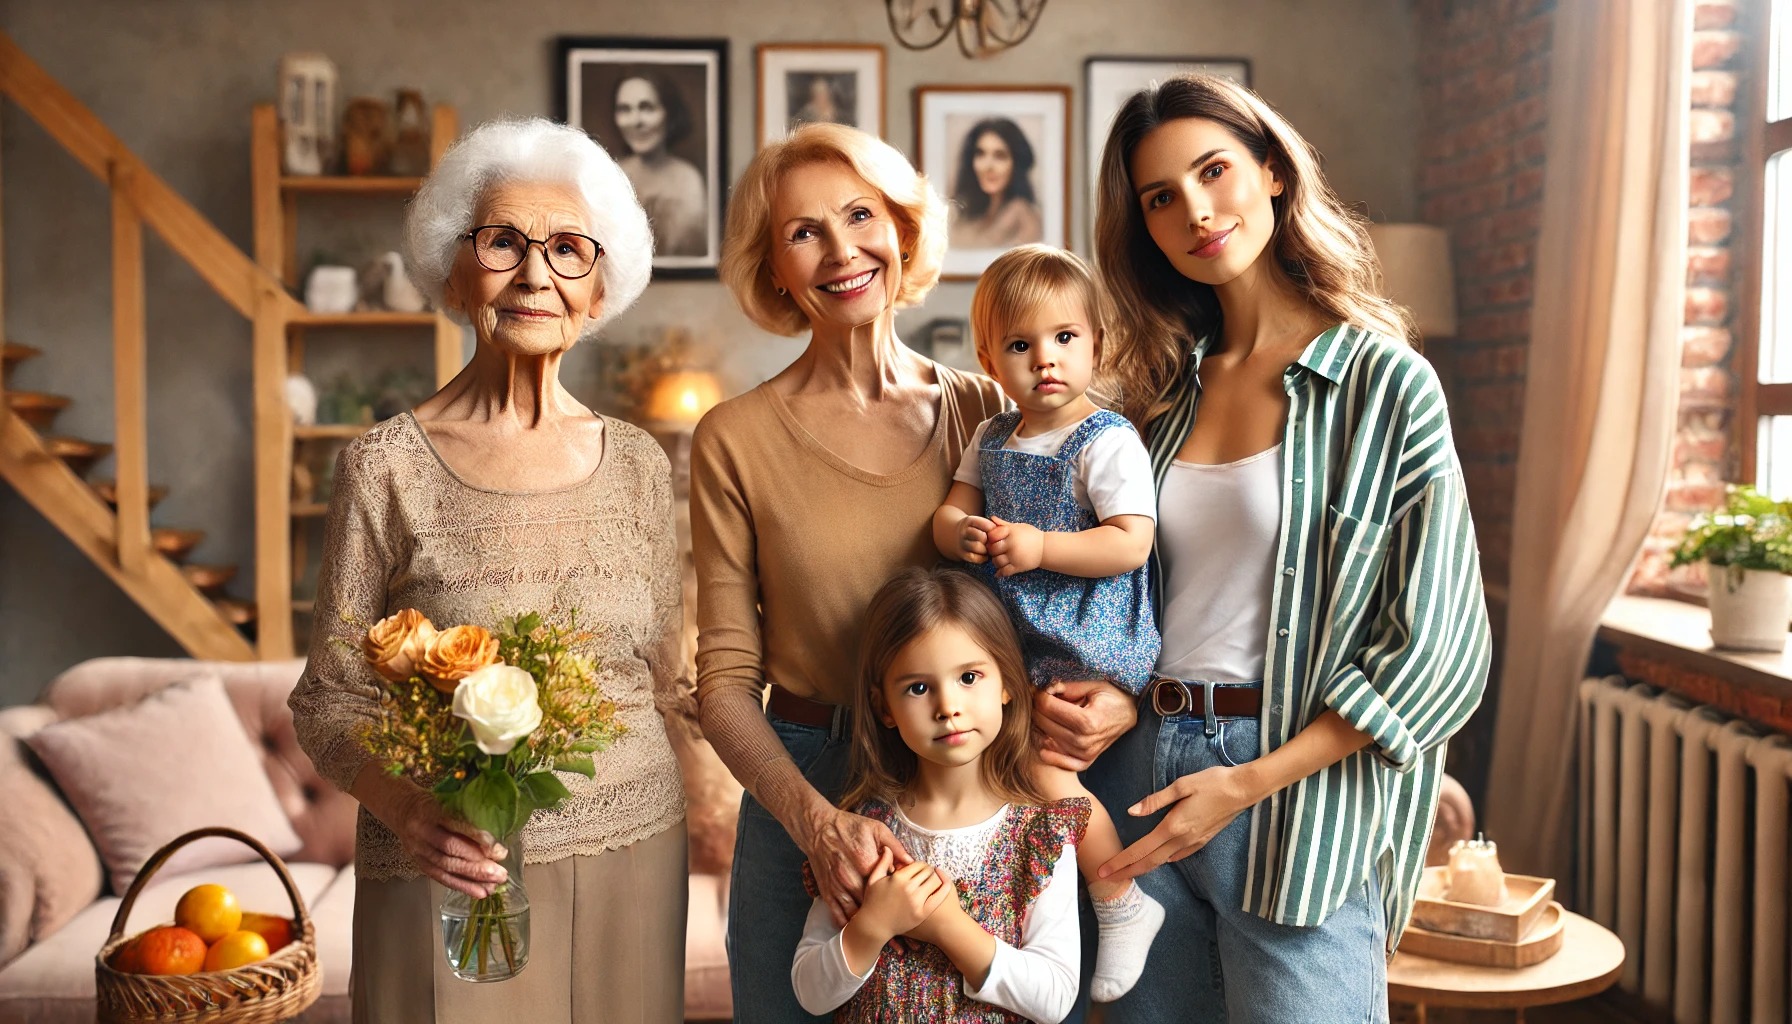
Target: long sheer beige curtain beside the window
{"points": [[1601, 390]]}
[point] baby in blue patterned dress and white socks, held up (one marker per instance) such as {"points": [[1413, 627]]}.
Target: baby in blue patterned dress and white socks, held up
{"points": [[1058, 499]]}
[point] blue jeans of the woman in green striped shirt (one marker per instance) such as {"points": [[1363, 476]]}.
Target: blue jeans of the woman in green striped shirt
{"points": [[1216, 962]]}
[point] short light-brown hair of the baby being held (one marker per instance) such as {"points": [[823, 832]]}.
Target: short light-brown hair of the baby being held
{"points": [[1024, 279]]}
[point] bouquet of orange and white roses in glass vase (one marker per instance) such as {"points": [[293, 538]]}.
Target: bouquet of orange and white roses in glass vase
{"points": [[487, 718]]}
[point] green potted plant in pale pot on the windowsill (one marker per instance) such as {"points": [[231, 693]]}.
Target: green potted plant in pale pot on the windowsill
{"points": [[1748, 546]]}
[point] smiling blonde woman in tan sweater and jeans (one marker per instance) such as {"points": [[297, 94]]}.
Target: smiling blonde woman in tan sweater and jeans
{"points": [[807, 494]]}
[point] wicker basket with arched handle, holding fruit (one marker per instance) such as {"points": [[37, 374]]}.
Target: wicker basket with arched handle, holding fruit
{"points": [[263, 993]]}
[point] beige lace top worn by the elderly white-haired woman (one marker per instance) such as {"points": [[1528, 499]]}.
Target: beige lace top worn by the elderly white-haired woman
{"points": [[406, 532]]}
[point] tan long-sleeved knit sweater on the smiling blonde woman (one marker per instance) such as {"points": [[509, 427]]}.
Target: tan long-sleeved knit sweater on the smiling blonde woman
{"points": [[791, 544]]}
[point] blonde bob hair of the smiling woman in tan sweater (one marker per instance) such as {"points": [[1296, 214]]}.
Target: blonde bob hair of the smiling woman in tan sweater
{"points": [[920, 216]]}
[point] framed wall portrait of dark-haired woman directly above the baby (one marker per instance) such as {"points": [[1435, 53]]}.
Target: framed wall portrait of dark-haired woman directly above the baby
{"points": [[1001, 157]]}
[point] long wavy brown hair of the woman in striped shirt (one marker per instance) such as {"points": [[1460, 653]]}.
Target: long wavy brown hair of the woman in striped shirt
{"points": [[1320, 245]]}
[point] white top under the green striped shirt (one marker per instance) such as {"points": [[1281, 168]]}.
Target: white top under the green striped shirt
{"points": [[1218, 542]]}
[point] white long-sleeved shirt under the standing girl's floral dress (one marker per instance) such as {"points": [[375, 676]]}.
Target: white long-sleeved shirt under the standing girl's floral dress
{"points": [[1037, 980]]}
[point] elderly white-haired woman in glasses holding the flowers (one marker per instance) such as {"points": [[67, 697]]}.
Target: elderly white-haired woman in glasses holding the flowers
{"points": [[503, 494]]}
